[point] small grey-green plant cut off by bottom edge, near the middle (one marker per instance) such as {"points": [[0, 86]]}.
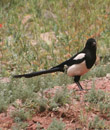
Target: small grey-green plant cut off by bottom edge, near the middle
{"points": [[56, 125]]}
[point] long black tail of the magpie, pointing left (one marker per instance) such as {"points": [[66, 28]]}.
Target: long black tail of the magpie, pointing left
{"points": [[38, 73]]}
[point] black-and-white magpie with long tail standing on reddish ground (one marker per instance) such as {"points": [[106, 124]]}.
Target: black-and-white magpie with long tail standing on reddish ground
{"points": [[75, 67]]}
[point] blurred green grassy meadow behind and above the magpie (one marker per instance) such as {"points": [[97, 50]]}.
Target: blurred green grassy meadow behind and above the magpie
{"points": [[72, 24]]}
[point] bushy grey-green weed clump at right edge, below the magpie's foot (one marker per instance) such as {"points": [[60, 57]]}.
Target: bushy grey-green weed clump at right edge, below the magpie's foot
{"points": [[99, 100]]}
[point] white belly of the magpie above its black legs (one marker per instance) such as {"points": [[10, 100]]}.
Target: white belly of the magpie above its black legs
{"points": [[77, 69]]}
